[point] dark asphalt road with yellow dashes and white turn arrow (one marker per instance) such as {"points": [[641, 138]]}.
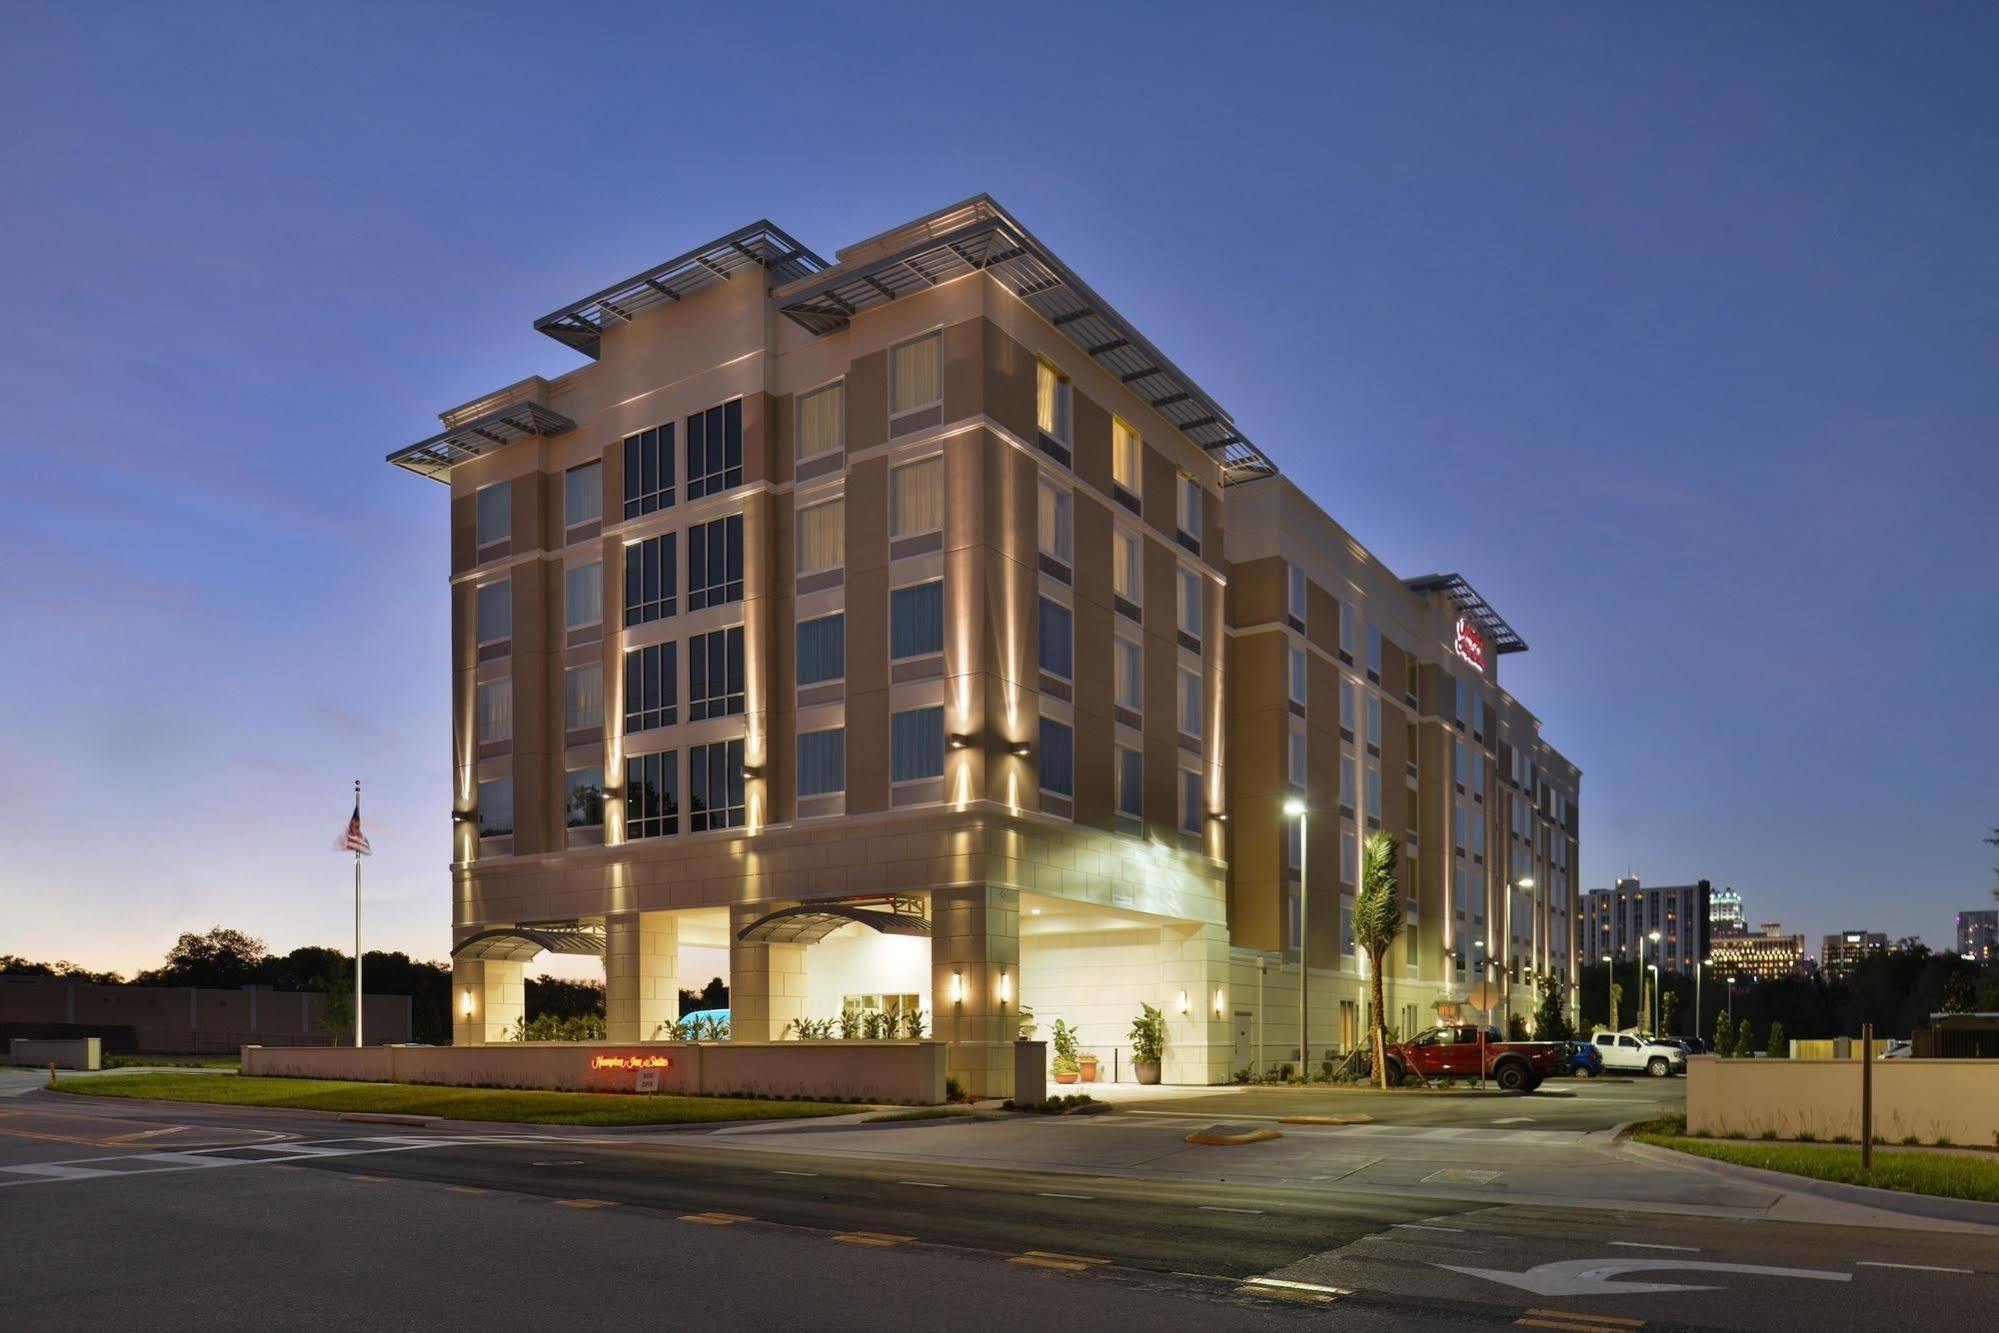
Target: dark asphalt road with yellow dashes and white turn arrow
{"points": [[179, 1216]]}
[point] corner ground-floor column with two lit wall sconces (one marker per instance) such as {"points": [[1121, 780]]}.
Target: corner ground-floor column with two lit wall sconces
{"points": [[975, 942]]}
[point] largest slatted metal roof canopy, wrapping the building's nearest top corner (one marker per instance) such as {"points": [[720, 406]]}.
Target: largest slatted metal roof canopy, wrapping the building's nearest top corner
{"points": [[981, 237]]}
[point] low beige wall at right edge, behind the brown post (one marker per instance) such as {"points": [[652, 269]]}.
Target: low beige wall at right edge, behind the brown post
{"points": [[1932, 1100]]}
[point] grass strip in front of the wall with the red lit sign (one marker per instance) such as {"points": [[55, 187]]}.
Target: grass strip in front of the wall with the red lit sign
{"points": [[531, 1108]]}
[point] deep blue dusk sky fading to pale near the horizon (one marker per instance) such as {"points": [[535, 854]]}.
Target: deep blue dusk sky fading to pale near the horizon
{"points": [[1674, 329]]}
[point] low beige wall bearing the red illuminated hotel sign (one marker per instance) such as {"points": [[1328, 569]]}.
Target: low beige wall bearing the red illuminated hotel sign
{"points": [[901, 1072]]}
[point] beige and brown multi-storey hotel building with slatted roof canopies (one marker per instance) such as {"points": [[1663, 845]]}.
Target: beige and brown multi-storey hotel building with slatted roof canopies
{"points": [[907, 635]]}
